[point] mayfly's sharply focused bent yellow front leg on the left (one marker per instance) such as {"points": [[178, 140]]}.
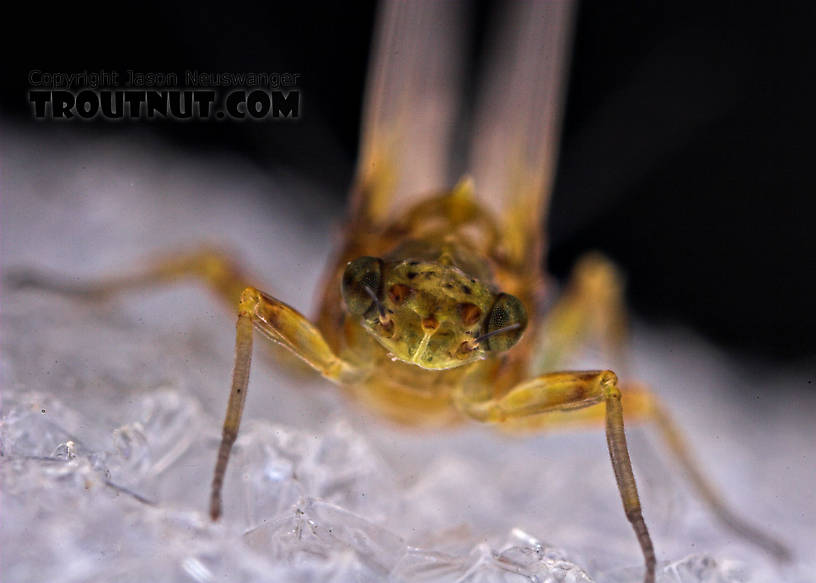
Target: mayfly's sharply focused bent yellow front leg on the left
{"points": [[287, 327]]}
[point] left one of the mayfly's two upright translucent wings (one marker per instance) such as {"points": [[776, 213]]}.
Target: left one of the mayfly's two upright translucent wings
{"points": [[410, 108]]}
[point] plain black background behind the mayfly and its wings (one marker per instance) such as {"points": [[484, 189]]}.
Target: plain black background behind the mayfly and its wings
{"points": [[687, 146]]}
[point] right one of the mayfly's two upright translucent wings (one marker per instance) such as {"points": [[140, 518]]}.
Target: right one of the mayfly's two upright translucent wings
{"points": [[517, 122]]}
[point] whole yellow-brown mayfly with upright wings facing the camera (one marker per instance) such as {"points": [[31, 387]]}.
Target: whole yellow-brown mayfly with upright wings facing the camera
{"points": [[433, 309]]}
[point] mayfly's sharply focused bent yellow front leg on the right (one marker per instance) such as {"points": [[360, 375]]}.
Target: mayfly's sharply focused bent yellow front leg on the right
{"points": [[563, 391]]}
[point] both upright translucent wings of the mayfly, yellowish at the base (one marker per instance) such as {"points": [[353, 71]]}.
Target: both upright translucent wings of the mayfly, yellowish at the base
{"points": [[411, 145]]}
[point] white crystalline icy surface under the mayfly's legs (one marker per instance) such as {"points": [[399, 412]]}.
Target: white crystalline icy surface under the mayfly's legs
{"points": [[111, 417]]}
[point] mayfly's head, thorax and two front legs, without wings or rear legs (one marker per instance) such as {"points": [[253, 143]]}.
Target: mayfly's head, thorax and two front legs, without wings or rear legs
{"points": [[425, 328]]}
